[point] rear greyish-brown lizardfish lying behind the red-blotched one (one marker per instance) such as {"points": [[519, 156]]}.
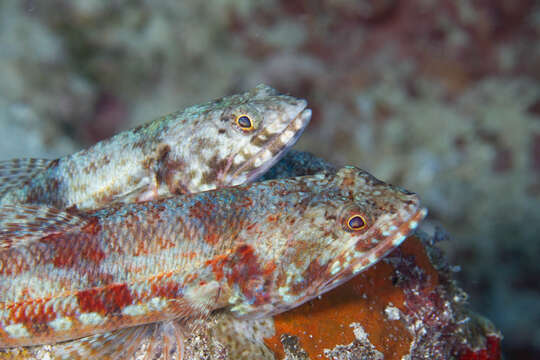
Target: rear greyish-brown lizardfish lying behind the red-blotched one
{"points": [[197, 149]]}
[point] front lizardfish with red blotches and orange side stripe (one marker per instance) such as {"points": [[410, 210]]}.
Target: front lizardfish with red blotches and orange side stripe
{"points": [[253, 250]]}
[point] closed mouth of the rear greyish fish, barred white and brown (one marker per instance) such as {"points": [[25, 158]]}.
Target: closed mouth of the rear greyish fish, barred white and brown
{"points": [[276, 147]]}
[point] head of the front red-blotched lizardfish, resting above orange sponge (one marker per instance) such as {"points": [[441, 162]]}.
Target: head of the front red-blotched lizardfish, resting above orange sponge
{"points": [[348, 224]]}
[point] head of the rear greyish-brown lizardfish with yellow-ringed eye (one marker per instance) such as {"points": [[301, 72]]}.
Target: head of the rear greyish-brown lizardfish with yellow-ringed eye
{"points": [[244, 135]]}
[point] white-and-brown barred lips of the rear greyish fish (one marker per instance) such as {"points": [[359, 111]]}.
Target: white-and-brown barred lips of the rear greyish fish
{"points": [[304, 116]]}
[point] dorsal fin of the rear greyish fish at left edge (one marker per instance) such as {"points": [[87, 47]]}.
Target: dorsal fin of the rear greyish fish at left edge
{"points": [[14, 173]]}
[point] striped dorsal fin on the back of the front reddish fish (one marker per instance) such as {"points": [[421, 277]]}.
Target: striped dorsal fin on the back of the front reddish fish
{"points": [[22, 224]]}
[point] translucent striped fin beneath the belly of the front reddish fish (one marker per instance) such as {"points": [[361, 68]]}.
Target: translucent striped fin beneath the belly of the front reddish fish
{"points": [[118, 344]]}
